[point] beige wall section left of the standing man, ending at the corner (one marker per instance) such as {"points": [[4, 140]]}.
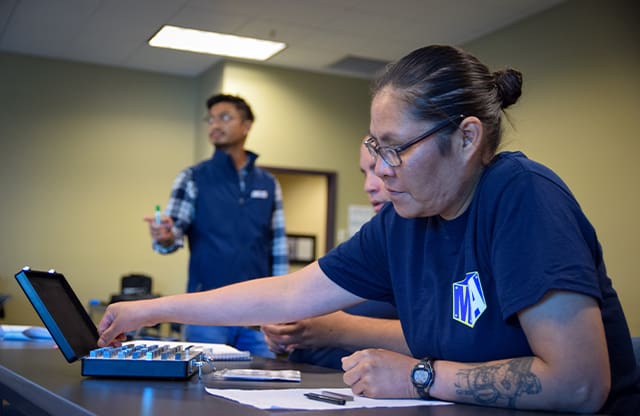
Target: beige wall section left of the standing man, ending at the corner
{"points": [[85, 152]]}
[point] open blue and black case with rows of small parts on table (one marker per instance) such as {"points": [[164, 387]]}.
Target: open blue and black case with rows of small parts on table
{"points": [[76, 335]]}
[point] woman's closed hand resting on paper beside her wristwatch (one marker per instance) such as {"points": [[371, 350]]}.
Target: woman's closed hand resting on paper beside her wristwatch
{"points": [[379, 374]]}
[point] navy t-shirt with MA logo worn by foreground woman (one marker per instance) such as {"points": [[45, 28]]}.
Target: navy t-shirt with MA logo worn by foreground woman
{"points": [[458, 284]]}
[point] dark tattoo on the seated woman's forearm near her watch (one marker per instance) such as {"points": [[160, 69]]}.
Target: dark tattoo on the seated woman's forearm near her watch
{"points": [[500, 384]]}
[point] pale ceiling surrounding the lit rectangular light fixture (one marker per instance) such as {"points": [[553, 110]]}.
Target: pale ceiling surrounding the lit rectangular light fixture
{"points": [[317, 32]]}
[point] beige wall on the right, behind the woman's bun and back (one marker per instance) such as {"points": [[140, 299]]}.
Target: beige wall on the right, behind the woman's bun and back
{"points": [[581, 98]]}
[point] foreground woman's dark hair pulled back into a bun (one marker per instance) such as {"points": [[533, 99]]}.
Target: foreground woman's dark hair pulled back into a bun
{"points": [[439, 82]]}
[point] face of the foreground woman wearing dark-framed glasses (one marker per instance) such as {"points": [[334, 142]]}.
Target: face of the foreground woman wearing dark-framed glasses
{"points": [[426, 183]]}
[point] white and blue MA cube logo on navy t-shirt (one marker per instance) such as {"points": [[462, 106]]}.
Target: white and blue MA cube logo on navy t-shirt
{"points": [[468, 299]]}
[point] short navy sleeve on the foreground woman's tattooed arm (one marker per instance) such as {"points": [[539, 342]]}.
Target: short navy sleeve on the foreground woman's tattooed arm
{"points": [[542, 241]]}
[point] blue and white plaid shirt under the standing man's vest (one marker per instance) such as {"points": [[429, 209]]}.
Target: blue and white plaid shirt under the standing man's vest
{"points": [[181, 207]]}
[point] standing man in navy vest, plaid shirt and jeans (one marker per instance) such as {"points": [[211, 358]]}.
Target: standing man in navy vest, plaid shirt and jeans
{"points": [[231, 212]]}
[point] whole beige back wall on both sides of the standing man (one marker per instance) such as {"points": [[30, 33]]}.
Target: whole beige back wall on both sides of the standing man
{"points": [[87, 151]]}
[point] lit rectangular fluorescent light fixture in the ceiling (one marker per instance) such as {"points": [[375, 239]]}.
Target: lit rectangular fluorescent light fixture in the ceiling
{"points": [[174, 37]]}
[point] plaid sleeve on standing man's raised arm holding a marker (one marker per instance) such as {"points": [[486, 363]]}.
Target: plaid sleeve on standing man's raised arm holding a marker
{"points": [[181, 208]]}
